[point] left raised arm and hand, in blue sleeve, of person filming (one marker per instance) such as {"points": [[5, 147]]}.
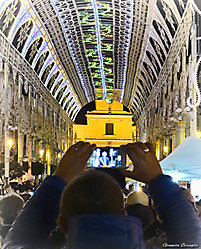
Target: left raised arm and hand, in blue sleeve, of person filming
{"points": [[38, 218]]}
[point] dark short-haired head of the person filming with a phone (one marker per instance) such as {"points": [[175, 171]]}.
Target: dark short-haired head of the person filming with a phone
{"points": [[92, 192]]}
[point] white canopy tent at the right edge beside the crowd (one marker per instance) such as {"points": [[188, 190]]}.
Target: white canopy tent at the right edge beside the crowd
{"points": [[185, 159]]}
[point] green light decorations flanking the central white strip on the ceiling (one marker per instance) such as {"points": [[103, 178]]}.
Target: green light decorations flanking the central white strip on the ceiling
{"points": [[105, 12]]}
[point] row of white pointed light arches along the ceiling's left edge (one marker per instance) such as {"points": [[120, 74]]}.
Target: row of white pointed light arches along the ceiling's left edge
{"points": [[25, 34]]}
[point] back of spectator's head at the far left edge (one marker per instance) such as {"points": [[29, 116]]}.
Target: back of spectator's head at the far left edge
{"points": [[10, 206]]}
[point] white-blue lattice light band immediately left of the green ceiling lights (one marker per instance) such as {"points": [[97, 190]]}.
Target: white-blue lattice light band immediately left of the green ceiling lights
{"points": [[72, 27]]}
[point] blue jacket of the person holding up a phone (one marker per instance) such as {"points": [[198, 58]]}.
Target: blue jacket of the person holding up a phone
{"points": [[33, 226]]}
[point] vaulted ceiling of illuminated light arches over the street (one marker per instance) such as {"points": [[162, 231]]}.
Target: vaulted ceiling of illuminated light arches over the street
{"points": [[104, 48]]}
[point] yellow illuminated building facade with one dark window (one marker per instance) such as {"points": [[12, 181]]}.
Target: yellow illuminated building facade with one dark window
{"points": [[108, 125]]}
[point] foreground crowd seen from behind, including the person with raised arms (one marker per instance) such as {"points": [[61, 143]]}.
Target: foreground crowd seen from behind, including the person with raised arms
{"points": [[79, 208]]}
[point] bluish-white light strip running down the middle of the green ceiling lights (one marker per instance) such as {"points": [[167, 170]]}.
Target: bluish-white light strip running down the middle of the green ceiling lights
{"points": [[98, 37]]}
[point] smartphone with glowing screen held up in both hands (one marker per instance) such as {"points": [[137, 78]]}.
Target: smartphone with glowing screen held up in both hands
{"points": [[107, 157]]}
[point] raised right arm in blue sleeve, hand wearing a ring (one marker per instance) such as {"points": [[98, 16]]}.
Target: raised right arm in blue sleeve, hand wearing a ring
{"points": [[179, 218]]}
